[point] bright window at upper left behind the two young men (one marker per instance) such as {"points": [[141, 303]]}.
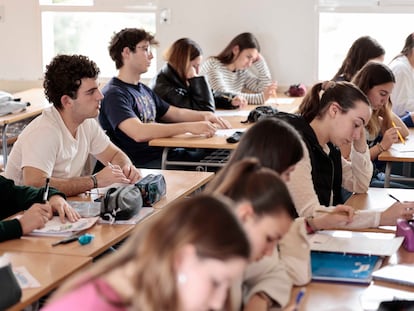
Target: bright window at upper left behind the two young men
{"points": [[68, 28]]}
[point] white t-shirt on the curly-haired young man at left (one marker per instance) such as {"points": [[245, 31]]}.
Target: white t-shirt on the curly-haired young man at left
{"points": [[47, 145]]}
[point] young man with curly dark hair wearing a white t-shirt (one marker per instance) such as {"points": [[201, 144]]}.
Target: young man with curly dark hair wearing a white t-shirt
{"points": [[57, 143]]}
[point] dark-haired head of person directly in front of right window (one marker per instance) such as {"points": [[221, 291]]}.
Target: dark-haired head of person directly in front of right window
{"points": [[362, 50]]}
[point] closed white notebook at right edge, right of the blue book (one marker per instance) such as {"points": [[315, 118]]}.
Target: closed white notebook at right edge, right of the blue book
{"points": [[400, 274]]}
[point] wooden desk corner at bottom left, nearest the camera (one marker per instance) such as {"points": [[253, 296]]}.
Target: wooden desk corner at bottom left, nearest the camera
{"points": [[50, 270]]}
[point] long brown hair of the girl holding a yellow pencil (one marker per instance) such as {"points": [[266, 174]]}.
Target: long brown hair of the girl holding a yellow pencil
{"points": [[373, 74]]}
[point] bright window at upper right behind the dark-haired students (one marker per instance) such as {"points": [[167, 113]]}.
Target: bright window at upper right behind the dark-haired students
{"points": [[341, 23]]}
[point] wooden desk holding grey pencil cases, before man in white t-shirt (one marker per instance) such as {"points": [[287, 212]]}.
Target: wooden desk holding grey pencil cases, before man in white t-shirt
{"points": [[179, 185]]}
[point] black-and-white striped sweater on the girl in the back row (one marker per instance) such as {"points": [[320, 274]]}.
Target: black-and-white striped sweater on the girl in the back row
{"points": [[240, 82]]}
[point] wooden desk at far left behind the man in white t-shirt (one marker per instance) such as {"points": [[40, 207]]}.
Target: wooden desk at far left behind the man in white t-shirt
{"points": [[37, 101]]}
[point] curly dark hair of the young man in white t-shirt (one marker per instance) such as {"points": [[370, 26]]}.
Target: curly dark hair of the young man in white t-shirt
{"points": [[64, 76]]}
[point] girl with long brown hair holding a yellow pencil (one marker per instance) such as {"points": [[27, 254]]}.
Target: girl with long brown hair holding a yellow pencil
{"points": [[377, 81]]}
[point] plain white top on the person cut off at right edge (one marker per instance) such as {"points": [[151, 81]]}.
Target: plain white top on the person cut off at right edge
{"points": [[402, 96]]}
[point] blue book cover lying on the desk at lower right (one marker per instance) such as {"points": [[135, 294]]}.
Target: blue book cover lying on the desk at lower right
{"points": [[341, 267]]}
